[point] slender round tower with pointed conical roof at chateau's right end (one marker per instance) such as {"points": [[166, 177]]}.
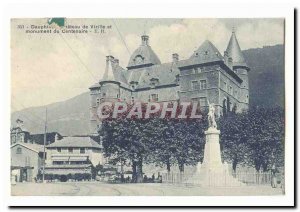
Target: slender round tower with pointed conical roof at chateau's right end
{"points": [[235, 58]]}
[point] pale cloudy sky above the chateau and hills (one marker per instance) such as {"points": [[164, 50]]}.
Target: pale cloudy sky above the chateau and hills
{"points": [[48, 68]]}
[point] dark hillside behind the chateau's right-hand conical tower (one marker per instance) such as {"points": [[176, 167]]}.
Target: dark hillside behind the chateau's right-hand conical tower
{"points": [[266, 78]]}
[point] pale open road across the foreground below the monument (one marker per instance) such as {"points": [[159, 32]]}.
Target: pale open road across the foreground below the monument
{"points": [[102, 189]]}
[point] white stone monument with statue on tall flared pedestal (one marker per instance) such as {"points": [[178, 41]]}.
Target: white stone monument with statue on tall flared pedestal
{"points": [[212, 172]]}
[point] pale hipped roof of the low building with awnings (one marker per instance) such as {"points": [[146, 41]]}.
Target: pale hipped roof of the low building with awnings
{"points": [[75, 142]]}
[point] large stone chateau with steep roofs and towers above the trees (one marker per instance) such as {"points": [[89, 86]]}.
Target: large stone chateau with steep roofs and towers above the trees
{"points": [[206, 76]]}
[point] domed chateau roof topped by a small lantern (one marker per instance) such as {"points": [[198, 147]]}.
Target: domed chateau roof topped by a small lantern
{"points": [[145, 51]]}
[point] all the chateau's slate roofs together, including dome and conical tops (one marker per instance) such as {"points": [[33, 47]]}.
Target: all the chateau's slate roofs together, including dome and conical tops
{"points": [[151, 67]]}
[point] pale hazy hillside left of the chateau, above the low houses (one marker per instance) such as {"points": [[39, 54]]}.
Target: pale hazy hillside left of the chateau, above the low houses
{"points": [[70, 117]]}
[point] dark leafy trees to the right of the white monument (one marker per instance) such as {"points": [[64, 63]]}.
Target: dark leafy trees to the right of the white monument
{"points": [[254, 138]]}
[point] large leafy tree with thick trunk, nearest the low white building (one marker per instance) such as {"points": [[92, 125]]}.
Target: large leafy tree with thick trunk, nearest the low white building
{"points": [[128, 140]]}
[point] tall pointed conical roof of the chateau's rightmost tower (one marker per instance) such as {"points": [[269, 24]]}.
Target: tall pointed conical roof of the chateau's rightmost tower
{"points": [[234, 51]]}
